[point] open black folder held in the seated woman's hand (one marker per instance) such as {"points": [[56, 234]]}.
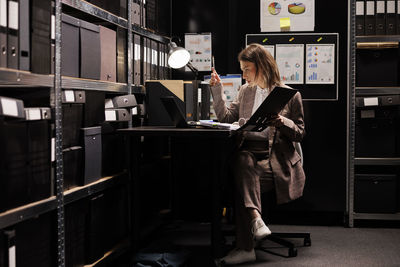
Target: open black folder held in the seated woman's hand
{"points": [[272, 105]]}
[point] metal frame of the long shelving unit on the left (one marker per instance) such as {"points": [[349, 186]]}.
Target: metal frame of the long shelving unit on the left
{"points": [[15, 78]]}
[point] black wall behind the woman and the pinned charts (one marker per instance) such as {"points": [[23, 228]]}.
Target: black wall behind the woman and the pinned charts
{"points": [[324, 146]]}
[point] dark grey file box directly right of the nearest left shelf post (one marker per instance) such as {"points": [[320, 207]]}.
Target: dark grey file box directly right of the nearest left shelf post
{"points": [[70, 46]]}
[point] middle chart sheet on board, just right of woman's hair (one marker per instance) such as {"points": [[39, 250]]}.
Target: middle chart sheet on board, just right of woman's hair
{"points": [[290, 60]]}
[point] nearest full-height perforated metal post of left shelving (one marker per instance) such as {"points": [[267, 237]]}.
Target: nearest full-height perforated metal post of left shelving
{"points": [[58, 140]]}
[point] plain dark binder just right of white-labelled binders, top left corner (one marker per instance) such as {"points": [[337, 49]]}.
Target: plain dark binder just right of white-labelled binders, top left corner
{"points": [[24, 35]]}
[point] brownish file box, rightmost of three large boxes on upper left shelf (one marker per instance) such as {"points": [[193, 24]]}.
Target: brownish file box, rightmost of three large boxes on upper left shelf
{"points": [[108, 48]]}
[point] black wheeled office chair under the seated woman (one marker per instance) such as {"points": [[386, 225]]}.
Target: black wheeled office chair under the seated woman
{"points": [[281, 238]]}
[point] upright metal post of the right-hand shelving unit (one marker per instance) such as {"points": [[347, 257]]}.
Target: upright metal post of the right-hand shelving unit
{"points": [[351, 113]]}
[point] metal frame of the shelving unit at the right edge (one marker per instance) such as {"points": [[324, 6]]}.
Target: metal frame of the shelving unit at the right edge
{"points": [[353, 91]]}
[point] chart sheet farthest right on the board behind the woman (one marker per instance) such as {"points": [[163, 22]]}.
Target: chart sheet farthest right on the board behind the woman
{"points": [[320, 63]]}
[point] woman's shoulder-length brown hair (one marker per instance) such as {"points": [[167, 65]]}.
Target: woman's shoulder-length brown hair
{"points": [[266, 67]]}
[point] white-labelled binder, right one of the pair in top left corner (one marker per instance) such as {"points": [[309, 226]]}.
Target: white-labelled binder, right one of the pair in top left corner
{"points": [[12, 37]]}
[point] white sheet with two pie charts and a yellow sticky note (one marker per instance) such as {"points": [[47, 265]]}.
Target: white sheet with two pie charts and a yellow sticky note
{"points": [[285, 15]]}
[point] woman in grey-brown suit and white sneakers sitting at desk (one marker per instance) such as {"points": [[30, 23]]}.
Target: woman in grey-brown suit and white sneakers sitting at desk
{"points": [[267, 160]]}
